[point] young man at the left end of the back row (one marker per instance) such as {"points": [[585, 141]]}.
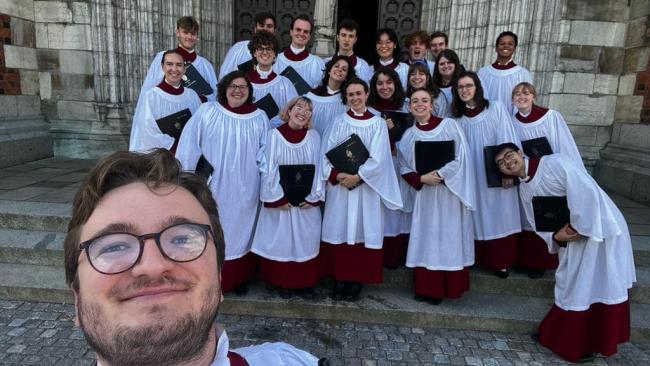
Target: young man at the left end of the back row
{"points": [[187, 32]]}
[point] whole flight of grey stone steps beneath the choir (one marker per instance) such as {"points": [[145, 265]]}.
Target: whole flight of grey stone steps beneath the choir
{"points": [[31, 268]]}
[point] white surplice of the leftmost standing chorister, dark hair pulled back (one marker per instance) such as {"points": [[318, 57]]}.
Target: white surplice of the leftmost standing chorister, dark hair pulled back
{"points": [[156, 104]]}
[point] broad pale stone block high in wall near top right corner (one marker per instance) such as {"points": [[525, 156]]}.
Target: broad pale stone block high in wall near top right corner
{"points": [[597, 33]]}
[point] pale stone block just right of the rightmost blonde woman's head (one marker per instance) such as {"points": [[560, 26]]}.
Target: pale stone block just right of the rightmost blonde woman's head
{"points": [[585, 110]]}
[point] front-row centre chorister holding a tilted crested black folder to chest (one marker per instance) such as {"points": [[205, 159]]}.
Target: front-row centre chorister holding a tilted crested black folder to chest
{"points": [[352, 231]]}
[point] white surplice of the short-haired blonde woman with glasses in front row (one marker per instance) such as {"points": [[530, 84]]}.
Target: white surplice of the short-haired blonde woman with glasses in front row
{"points": [[294, 234]]}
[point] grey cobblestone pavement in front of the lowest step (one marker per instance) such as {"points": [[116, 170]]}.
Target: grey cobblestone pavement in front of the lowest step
{"points": [[44, 334]]}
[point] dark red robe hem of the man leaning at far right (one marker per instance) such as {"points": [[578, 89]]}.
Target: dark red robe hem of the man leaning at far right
{"points": [[574, 334]]}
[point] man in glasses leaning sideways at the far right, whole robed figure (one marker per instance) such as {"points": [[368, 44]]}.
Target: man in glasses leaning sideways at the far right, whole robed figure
{"points": [[591, 313]]}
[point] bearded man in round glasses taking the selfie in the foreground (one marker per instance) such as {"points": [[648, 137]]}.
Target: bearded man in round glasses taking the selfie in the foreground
{"points": [[143, 258]]}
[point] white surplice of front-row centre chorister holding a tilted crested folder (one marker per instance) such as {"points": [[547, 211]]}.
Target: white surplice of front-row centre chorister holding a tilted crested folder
{"points": [[356, 216]]}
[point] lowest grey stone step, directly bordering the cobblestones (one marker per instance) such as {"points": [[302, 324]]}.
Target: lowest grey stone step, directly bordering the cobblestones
{"points": [[378, 304]]}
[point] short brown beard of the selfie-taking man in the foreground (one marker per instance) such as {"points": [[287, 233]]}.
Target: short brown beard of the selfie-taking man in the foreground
{"points": [[164, 342]]}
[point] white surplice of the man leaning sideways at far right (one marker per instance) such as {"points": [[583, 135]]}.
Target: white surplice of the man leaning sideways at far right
{"points": [[598, 268]]}
